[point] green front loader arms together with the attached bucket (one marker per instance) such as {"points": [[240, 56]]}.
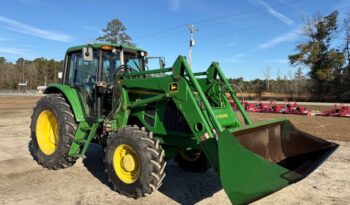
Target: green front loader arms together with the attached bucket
{"points": [[253, 160]]}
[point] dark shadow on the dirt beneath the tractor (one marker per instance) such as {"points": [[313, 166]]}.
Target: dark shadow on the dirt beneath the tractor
{"points": [[181, 186]]}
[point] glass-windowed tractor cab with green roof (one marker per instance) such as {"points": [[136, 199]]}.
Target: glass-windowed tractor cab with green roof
{"points": [[94, 69]]}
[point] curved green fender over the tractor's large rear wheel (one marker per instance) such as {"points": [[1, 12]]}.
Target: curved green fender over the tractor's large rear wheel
{"points": [[72, 97]]}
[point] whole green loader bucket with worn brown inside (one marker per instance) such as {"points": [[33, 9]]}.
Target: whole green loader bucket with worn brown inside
{"points": [[260, 159]]}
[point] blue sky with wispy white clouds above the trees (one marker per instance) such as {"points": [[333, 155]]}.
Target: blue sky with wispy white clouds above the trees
{"points": [[245, 37]]}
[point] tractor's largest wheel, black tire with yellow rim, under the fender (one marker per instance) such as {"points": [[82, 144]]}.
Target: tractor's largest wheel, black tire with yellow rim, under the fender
{"points": [[52, 132]]}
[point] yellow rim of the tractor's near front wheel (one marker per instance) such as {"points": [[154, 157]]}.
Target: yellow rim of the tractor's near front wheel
{"points": [[126, 163]]}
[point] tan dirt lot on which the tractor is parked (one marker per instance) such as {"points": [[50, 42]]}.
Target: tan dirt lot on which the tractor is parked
{"points": [[22, 181]]}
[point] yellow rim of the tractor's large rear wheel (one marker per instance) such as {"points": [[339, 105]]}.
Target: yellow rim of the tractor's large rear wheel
{"points": [[47, 133]]}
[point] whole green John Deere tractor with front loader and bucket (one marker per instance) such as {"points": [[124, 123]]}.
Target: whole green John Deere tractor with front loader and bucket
{"points": [[144, 117]]}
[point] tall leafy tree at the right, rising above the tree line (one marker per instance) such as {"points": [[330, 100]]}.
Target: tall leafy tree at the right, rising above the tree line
{"points": [[325, 63]]}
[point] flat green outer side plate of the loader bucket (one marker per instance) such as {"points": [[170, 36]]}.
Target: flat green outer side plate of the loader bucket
{"points": [[245, 176]]}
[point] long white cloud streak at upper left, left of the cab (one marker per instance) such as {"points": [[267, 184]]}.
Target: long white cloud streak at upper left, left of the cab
{"points": [[32, 31]]}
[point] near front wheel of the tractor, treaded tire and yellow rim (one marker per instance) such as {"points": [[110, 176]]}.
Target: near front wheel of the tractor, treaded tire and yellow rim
{"points": [[134, 162]]}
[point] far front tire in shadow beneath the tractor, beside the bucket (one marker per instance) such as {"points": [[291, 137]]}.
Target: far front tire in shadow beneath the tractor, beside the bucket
{"points": [[193, 161]]}
